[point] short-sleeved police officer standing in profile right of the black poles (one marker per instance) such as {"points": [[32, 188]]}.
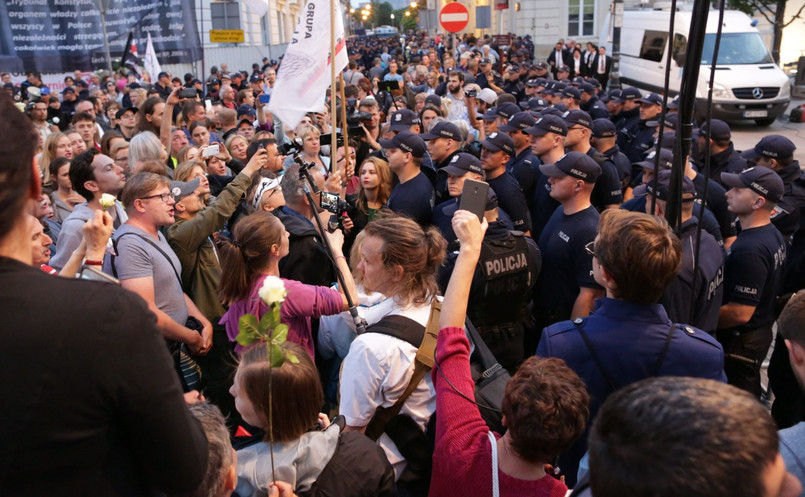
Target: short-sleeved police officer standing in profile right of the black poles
{"points": [[754, 273]]}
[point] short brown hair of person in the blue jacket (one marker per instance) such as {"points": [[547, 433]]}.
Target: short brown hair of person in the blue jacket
{"points": [[639, 253]]}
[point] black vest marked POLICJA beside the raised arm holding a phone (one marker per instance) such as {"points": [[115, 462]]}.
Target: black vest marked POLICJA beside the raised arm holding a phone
{"points": [[507, 278]]}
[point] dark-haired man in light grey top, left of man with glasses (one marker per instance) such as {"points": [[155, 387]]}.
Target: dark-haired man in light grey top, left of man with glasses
{"points": [[92, 175]]}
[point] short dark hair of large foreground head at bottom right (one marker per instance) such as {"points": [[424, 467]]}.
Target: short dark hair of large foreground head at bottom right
{"points": [[676, 436]]}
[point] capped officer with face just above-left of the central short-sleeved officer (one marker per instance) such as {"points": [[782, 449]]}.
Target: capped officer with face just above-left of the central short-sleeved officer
{"points": [[547, 138]]}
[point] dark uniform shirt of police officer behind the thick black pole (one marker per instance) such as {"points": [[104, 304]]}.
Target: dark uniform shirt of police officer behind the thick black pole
{"points": [[695, 297]]}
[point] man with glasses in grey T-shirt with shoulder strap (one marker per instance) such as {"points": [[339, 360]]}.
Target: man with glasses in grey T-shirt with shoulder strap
{"points": [[146, 265]]}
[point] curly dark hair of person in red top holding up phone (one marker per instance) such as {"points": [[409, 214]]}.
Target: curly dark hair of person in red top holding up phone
{"points": [[546, 407]]}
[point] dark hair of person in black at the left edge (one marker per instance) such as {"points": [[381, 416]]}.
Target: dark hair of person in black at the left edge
{"points": [[16, 169]]}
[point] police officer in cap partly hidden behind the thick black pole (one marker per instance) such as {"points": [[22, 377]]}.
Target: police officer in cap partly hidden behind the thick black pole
{"points": [[692, 297]]}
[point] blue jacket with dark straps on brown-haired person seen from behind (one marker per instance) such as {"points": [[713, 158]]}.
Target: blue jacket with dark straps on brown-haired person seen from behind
{"points": [[629, 340]]}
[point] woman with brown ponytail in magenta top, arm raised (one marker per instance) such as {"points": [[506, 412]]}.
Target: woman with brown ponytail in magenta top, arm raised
{"points": [[245, 265]]}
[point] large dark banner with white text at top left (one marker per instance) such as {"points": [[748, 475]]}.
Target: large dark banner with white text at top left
{"points": [[52, 36]]}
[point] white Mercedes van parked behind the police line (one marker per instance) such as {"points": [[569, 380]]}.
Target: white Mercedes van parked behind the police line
{"points": [[748, 84]]}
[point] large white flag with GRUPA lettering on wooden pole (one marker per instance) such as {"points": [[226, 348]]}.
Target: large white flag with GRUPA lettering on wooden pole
{"points": [[305, 73]]}
